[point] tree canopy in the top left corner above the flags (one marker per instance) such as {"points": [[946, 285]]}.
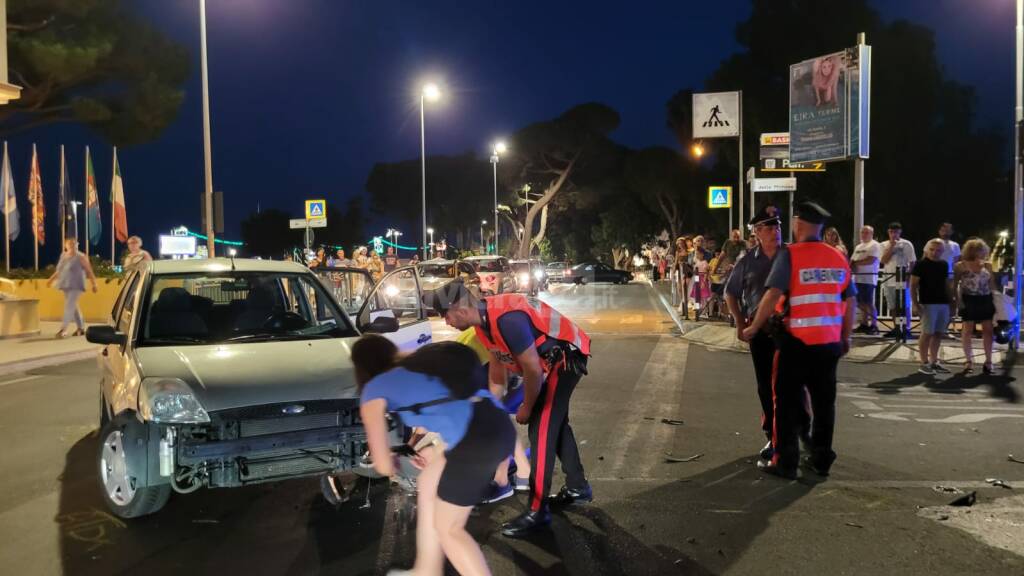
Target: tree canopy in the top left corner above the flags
{"points": [[94, 63]]}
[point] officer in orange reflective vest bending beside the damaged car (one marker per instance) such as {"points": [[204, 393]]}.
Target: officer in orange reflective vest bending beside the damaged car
{"points": [[531, 339]]}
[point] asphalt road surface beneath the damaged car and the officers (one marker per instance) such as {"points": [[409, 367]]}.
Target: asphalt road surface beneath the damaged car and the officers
{"points": [[899, 437]]}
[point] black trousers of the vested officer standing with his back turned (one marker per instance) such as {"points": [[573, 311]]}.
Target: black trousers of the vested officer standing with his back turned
{"points": [[797, 366]]}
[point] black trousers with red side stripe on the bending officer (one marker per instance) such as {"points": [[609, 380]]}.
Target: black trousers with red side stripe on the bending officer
{"points": [[550, 435]]}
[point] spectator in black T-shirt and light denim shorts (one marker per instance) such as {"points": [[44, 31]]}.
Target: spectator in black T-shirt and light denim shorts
{"points": [[931, 293]]}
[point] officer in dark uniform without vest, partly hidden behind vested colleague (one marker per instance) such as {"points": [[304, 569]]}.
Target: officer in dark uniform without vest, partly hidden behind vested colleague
{"points": [[743, 293]]}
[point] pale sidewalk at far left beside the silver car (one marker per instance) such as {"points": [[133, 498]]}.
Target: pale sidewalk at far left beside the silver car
{"points": [[19, 355]]}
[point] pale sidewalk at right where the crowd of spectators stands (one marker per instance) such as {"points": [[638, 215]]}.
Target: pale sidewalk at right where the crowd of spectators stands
{"points": [[866, 349]]}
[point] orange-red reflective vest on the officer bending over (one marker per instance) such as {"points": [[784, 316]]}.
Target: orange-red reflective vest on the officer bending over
{"points": [[544, 318]]}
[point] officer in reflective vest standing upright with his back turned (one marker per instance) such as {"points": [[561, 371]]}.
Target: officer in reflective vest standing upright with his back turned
{"points": [[809, 285]]}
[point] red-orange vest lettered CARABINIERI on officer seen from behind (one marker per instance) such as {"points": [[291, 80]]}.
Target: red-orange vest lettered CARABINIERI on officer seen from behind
{"points": [[819, 276]]}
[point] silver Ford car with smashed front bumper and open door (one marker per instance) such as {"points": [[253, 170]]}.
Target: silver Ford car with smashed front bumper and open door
{"points": [[222, 374]]}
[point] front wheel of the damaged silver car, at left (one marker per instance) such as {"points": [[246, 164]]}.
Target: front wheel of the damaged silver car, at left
{"points": [[118, 481]]}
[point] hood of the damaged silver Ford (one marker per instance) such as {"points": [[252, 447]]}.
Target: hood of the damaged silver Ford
{"points": [[238, 376]]}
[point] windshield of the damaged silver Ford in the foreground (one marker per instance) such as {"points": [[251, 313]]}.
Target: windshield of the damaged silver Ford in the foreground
{"points": [[205, 309]]}
